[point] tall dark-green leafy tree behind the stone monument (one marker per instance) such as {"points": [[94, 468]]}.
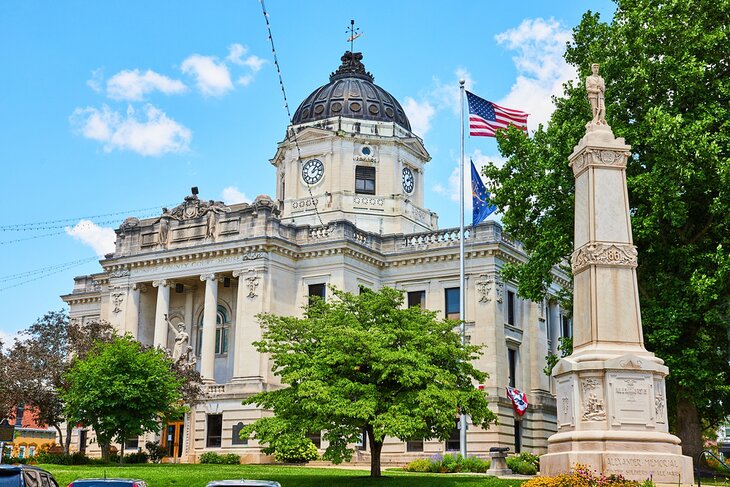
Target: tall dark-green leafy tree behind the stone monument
{"points": [[668, 94]]}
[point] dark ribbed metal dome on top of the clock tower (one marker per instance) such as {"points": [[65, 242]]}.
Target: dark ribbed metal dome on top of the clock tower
{"points": [[351, 93]]}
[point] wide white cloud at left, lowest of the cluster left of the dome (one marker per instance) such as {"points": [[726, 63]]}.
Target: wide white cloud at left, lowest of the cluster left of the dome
{"points": [[153, 134]]}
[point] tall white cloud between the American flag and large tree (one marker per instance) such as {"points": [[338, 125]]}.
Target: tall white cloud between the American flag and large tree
{"points": [[540, 45]]}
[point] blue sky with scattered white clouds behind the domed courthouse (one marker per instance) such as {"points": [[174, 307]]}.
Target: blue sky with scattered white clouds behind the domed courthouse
{"points": [[115, 109]]}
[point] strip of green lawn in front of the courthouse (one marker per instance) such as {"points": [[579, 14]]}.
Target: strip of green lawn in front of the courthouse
{"points": [[199, 475]]}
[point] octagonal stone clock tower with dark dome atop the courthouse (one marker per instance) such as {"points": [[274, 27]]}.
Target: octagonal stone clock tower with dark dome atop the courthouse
{"points": [[349, 154]]}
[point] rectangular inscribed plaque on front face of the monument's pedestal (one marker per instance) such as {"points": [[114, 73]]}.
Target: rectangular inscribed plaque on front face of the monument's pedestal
{"points": [[631, 398]]}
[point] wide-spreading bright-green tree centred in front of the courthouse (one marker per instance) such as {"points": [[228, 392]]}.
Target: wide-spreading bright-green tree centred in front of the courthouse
{"points": [[363, 365]]}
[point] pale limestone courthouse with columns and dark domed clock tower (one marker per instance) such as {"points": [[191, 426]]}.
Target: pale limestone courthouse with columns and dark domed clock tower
{"points": [[348, 212]]}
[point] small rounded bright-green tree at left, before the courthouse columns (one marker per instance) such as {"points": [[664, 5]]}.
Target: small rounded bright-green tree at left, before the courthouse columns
{"points": [[122, 389]]}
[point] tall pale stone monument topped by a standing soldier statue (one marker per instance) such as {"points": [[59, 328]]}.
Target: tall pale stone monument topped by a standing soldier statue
{"points": [[611, 400]]}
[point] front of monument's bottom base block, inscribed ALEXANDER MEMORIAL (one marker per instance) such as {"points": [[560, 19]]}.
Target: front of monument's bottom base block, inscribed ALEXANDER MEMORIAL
{"points": [[665, 468]]}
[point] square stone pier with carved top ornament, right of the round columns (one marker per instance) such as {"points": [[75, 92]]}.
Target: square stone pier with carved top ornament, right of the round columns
{"points": [[247, 360]]}
